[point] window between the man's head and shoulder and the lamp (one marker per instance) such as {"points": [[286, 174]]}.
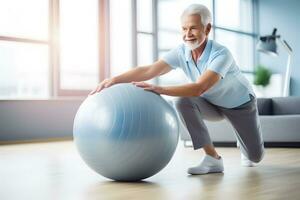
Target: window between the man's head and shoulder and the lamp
{"points": [[234, 28]]}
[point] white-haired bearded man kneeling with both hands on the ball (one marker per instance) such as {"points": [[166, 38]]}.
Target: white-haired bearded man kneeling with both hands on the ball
{"points": [[217, 90]]}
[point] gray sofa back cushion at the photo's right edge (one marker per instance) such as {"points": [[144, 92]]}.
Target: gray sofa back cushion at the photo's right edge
{"points": [[286, 105]]}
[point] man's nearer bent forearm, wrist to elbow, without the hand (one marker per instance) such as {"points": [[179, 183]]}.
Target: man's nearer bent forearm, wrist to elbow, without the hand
{"points": [[188, 90]]}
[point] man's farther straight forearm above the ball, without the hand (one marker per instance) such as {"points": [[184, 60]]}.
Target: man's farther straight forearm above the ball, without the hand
{"points": [[135, 74]]}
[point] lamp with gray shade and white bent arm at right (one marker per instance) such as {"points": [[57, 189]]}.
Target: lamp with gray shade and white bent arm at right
{"points": [[267, 44]]}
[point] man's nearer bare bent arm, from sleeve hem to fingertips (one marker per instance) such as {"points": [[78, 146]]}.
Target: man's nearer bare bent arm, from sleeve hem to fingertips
{"points": [[204, 82]]}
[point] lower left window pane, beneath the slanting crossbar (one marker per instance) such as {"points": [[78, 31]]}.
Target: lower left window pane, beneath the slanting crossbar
{"points": [[24, 70]]}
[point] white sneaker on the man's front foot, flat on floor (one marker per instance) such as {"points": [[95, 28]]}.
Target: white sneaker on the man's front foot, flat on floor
{"points": [[208, 164]]}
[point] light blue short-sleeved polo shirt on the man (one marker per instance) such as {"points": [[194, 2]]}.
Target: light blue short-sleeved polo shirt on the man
{"points": [[232, 90]]}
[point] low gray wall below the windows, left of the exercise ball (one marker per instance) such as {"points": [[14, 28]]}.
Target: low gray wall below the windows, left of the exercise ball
{"points": [[37, 119]]}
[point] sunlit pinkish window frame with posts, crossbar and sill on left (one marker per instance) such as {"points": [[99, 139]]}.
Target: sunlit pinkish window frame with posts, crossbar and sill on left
{"points": [[55, 91]]}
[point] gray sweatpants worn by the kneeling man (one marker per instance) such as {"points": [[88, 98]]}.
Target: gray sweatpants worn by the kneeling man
{"points": [[244, 119]]}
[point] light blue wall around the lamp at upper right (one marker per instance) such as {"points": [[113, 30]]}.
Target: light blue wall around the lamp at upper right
{"points": [[284, 15]]}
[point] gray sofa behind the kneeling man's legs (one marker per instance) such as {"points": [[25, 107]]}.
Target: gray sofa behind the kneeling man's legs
{"points": [[280, 123]]}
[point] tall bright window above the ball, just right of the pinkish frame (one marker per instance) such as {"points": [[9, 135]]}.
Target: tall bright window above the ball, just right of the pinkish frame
{"points": [[132, 34]]}
